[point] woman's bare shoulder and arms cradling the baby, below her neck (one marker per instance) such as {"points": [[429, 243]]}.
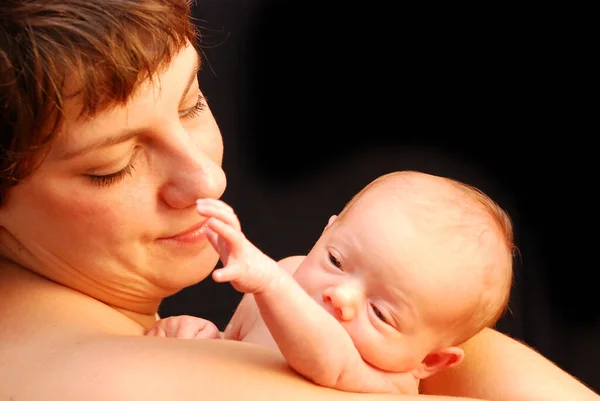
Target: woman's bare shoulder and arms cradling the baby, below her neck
{"points": [[75, 339]]}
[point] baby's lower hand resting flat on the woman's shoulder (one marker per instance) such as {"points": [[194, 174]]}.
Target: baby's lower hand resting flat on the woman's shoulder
{"points": [[184, 326]]}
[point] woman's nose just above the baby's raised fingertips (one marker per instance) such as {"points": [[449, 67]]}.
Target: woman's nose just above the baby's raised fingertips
{"points": [[195, 173]]}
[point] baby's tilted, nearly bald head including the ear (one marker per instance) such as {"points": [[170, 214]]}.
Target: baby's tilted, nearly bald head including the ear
{"points": [[413, 266]]}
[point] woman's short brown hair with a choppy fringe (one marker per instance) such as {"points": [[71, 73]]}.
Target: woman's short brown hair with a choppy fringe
{"points": [[106, 47]]}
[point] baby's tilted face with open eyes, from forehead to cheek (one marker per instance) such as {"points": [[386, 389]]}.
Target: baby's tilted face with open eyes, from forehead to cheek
{"points": [[383, 279]]}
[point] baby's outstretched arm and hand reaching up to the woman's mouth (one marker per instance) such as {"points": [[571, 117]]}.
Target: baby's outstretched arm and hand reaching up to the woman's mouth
{"points": [[312, 341]]}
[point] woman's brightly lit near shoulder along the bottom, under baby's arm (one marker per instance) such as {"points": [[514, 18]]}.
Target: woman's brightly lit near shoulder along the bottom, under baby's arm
{"points": [[138, 368]]}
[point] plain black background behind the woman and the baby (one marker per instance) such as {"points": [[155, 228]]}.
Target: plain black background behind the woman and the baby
{"points": [[315, 100]]}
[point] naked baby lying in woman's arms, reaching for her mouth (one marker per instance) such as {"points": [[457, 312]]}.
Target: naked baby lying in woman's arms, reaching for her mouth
{"points": [[412, 267]]}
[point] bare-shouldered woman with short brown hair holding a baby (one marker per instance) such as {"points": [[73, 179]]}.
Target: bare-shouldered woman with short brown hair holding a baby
{"points": [[106, 144]]}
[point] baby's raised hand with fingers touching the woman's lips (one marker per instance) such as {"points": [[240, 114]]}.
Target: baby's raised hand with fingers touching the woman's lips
{"points": [[244, 265]]}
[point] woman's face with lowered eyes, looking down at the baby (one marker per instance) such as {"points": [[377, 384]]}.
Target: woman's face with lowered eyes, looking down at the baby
{"points": [[111, 211]]}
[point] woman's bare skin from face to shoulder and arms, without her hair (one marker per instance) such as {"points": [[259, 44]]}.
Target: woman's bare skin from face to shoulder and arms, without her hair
{"points": [[109, 248]]}
